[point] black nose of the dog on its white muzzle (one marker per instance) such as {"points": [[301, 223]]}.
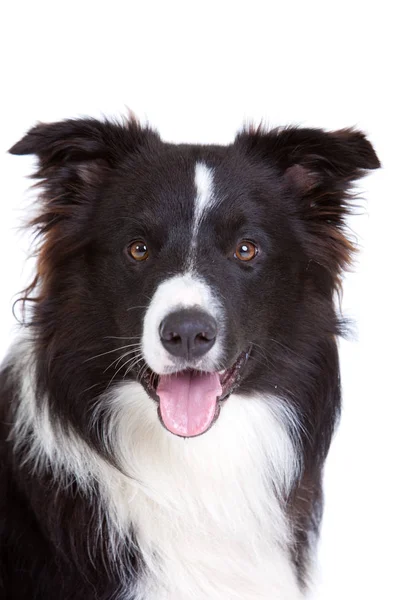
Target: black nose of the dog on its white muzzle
{"points": [[188, 333]]}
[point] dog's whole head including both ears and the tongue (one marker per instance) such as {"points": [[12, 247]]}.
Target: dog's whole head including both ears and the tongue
{"points": [[192, 269]]}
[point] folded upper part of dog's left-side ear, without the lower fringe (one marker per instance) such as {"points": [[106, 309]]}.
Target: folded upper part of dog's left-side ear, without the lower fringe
{"points": [[75, 158]]}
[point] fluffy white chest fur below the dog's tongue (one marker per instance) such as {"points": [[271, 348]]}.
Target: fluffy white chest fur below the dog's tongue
{"points": [[205, 510]]}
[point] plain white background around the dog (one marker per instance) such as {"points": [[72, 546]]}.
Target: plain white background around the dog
{"points": [[197, 71]]}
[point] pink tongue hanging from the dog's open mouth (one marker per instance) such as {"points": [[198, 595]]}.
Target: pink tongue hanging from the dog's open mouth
{"points": [[188, 401]]}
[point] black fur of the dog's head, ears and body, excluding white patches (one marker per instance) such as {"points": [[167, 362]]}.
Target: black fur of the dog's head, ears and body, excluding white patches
{"points": [[105, 184]]}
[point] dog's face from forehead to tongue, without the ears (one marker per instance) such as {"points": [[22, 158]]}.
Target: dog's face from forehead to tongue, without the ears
{"points": [[197, 250]]}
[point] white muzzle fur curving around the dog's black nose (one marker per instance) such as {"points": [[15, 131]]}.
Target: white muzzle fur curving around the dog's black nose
{"points": [[182, 291]]}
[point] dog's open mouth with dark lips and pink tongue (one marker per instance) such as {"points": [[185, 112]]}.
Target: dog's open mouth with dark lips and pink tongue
{"points": [[189, 401]]}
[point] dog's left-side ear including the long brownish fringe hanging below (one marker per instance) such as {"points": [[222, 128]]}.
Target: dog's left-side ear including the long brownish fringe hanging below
{"points": [[75, 158]]}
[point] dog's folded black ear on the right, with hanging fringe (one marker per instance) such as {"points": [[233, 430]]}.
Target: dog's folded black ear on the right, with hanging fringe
{"points": [[318, 168]]}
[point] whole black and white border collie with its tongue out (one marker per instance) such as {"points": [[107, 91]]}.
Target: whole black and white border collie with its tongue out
{"points": [[168, 407]]}
